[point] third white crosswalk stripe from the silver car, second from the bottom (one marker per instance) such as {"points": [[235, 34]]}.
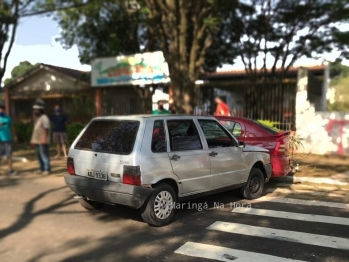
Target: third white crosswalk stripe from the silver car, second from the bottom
{"points": [[284, 235]]}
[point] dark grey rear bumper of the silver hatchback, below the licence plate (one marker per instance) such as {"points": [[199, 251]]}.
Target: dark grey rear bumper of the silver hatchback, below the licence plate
{"points": [[108, 192]]}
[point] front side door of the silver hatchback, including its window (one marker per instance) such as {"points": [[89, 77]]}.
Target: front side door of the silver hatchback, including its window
{"points": [[227, 159]]}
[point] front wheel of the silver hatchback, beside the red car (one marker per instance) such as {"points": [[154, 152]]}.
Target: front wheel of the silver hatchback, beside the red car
{"points": [[255, 184]]}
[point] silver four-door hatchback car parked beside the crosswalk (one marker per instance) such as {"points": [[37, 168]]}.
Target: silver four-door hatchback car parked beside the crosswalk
{"points": [[153, 162]]}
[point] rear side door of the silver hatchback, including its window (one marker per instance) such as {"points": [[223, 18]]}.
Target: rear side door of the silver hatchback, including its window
{"points": [[189, 160]]}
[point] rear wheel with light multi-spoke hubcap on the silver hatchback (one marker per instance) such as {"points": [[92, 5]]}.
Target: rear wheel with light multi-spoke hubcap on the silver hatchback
{"points": [[156, 215]]}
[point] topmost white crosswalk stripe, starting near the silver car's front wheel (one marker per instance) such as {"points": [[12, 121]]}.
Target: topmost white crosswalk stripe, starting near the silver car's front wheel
{"points": [[301, 202]]}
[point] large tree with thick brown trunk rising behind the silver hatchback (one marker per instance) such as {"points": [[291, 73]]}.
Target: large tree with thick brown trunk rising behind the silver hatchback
{"points": [[185, 31]]}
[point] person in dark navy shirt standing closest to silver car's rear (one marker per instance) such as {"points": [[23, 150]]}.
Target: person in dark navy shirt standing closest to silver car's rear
{"points": [[59, 121]]}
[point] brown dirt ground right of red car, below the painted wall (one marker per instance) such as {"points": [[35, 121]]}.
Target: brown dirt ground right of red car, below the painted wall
{"points": [[320, 166]]}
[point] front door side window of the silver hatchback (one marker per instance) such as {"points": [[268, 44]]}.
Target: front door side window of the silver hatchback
{"points": [[215, 135]]}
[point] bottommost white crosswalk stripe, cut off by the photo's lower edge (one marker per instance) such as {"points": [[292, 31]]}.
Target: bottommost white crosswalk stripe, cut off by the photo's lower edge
{"points": [[226, 254]]}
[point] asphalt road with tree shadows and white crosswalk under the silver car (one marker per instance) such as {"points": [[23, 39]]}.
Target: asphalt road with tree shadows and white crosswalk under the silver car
{"points": [[40, 221]]}
